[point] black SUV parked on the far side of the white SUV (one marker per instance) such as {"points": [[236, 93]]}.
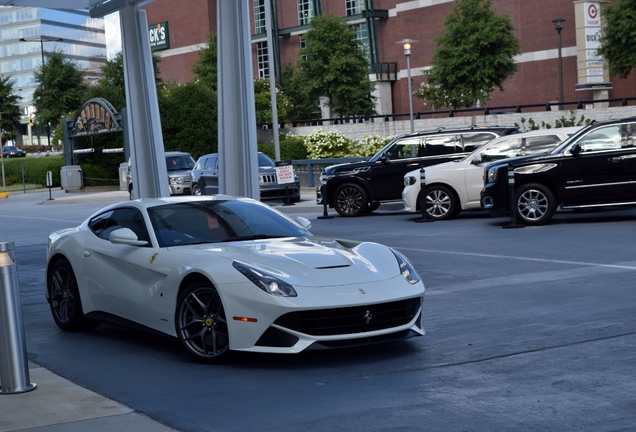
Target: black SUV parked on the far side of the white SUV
{"points": [[359, 187]]}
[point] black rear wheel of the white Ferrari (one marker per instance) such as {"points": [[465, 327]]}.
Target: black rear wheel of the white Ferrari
{"points": [[64, 298]]}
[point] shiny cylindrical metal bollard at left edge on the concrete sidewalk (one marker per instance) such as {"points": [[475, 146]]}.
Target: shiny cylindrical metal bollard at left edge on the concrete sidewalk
{"points": [[14, 367]]}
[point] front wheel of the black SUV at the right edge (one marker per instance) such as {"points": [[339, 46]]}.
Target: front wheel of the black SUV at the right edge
{"points": [[535, 204]]}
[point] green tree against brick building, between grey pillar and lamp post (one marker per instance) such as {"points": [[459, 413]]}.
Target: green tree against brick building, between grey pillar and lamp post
{"points": [[333, 65]]}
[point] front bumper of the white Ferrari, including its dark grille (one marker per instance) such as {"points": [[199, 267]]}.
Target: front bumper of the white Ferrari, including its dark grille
{"points": [[325, 317]]}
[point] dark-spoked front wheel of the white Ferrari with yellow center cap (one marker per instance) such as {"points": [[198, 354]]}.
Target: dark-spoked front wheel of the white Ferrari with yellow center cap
{"points": [[201, 323]]}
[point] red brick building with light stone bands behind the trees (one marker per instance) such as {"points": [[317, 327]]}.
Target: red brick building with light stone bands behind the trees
{"points": [[382, 23]]}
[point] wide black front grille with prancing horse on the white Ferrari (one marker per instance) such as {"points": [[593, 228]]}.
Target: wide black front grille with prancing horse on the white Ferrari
{"points": [[354, 319]]}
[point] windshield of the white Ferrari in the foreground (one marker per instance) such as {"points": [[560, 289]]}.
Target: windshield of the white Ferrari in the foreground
{"points": [[213, 221]]}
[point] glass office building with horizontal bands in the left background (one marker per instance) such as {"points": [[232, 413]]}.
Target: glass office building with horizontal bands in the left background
{"points": [[28, 34]]}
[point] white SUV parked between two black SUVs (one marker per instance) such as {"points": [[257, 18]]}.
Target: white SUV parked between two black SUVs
{"points": [[455, 186]]}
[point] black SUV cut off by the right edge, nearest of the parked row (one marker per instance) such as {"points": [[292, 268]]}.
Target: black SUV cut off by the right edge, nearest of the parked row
{"points": [[595, 167]]}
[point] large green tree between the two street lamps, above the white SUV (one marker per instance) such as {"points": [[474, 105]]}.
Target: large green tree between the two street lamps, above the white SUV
{"points": [[475, 53]]}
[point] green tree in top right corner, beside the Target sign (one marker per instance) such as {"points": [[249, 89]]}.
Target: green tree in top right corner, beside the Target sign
{"points": [[618, 44]]}
